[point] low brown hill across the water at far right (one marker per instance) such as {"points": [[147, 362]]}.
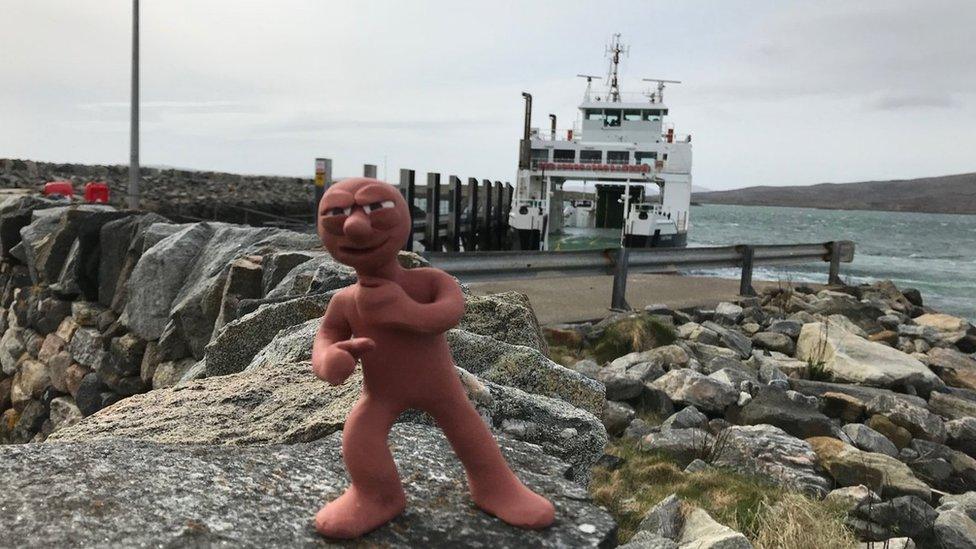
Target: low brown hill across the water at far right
{"points": [[944, 194]]}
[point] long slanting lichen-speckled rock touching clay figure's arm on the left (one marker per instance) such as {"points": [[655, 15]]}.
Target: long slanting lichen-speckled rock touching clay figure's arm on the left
{"points": [[238, 341]]}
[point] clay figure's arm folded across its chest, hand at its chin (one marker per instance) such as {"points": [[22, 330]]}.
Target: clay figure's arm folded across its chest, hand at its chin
{"points": [[389, 305]]}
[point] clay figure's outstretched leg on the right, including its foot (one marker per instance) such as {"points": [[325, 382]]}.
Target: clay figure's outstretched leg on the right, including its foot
{"points": [[494, 487]]}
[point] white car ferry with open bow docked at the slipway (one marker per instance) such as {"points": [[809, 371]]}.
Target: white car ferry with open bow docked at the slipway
{"points": [[623, 144]]}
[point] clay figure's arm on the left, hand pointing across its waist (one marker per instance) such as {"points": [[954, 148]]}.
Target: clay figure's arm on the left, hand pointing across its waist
{"points": [[334, 355]]}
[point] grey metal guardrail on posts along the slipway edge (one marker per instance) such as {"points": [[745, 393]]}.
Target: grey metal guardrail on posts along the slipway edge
{"points": [[617, 262]]}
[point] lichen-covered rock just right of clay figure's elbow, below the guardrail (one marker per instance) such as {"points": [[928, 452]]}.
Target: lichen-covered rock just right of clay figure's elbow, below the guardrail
{"points": [[507, 317]]}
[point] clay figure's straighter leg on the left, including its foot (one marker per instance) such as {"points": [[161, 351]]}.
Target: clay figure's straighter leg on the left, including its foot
{"points": [[376, 495]]}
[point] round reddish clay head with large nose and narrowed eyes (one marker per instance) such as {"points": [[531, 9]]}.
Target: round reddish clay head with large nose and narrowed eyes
{"points": [[363, 223]]}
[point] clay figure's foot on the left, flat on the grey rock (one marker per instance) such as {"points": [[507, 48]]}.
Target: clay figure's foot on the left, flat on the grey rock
{"points": [[352, 514]]}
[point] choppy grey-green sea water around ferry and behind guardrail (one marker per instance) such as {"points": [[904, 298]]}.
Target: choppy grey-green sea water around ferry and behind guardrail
{"points": [[935, 253]]}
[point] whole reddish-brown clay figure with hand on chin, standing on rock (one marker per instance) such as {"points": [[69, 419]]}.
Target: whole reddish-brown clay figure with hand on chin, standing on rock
{"points": [[398, 318]]}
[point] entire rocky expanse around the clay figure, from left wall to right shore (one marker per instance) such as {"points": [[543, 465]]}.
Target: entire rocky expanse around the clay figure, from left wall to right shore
{"points": [[156, 390]]}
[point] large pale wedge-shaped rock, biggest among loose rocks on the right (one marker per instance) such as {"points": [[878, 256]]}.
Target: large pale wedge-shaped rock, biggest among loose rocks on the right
{"points": [[852, 359]]}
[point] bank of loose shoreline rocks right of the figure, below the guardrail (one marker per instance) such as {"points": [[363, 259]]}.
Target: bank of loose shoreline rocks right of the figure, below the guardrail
{"points": [[857, 396]]}
